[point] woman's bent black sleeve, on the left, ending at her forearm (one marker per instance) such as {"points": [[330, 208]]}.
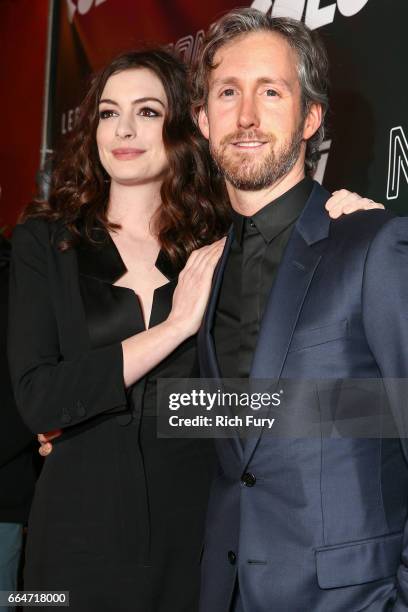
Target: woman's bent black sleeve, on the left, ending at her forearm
{"points": [[50, 391]]}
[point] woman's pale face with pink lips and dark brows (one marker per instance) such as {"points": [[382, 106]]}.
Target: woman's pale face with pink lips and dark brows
{"points": [[129, 133]]}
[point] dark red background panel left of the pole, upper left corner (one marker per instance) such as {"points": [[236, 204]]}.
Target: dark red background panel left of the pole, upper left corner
{"points": [[23, 34]]}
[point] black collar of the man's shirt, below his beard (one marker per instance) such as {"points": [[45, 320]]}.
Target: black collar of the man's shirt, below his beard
{"points": [[276, 216]]}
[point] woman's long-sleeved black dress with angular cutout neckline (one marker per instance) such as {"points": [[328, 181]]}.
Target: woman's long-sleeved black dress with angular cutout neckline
{"points": [[118, 513]]}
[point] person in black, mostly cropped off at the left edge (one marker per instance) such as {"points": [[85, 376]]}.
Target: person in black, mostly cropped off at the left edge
{"points": [[17, 471]]}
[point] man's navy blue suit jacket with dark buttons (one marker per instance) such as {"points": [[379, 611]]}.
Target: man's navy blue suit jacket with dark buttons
{"points": [[322, 529]]}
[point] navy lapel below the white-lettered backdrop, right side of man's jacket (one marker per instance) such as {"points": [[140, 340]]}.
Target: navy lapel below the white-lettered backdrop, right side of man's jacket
{"points": [[295, 274]]}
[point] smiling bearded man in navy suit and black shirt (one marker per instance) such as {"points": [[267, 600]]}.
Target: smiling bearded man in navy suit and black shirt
{"points": [[297, 525]]}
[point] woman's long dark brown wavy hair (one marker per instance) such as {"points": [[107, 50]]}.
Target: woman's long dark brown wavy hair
{"points": [[194, 208]]}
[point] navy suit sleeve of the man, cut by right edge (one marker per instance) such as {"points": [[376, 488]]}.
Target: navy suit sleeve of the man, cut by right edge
{"points": [[385, 312]]}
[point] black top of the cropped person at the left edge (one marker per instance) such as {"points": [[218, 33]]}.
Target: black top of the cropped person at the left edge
{"points": [[17, 469]]}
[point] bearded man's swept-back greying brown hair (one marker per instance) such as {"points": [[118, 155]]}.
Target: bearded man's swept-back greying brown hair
{"points": [[312, 65]]}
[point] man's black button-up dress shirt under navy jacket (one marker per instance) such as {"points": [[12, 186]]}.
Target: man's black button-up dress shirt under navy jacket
{"points": [[256, 251]]}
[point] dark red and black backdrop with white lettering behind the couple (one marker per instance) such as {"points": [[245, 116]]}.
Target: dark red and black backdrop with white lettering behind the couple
{"points": [[367, 145]]}
